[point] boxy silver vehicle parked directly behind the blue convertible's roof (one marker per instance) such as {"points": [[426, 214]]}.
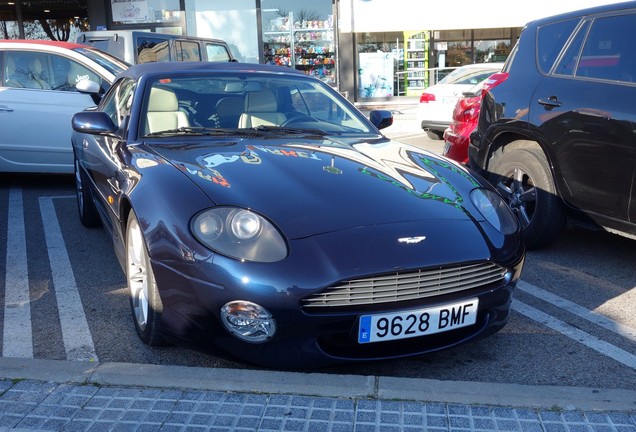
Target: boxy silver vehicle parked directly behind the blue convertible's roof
{"points": [[136, 47]]}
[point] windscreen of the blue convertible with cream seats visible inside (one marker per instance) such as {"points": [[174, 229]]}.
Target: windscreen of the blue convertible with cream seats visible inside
{"points": [[244, 104]]}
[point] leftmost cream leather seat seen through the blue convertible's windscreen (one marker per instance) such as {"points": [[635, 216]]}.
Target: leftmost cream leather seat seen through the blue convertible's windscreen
{"points": [[163, 111]]}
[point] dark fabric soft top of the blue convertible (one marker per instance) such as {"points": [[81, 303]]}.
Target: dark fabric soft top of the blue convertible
{"points": [[159, 68]]}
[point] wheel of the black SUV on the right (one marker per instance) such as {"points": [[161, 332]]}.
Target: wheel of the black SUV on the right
{"points": [[523, 177]]}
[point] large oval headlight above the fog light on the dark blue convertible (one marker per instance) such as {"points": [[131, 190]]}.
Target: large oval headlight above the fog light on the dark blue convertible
{"points": [[239, 233]]}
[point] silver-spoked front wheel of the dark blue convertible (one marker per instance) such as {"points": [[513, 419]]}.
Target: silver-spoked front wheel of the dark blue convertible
{"points": [[145, 302]]}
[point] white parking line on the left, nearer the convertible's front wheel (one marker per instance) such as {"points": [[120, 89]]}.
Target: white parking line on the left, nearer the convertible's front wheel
{"points": [[76, 335]]}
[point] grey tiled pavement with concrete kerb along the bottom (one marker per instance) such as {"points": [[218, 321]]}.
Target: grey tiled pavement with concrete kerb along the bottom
{"points": [[47, 395]]}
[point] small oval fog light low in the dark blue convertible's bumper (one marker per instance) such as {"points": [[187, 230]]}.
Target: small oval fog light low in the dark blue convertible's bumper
{"points": [[248, 321]]}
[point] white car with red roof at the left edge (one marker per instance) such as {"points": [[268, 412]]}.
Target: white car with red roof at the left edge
{"points": [[39, 93]]}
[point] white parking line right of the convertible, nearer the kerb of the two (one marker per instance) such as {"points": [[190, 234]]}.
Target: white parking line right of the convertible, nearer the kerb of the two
{"points": [[598, 345]]}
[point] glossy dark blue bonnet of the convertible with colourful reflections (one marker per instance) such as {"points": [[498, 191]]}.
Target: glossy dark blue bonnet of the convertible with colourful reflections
{"points": [[312, 185]]}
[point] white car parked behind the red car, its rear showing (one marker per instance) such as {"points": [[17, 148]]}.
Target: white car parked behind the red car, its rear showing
{"points": [[435, 110]]}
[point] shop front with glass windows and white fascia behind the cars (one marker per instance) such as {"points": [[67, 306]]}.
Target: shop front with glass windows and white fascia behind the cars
{"points": [[370, 50]]}
